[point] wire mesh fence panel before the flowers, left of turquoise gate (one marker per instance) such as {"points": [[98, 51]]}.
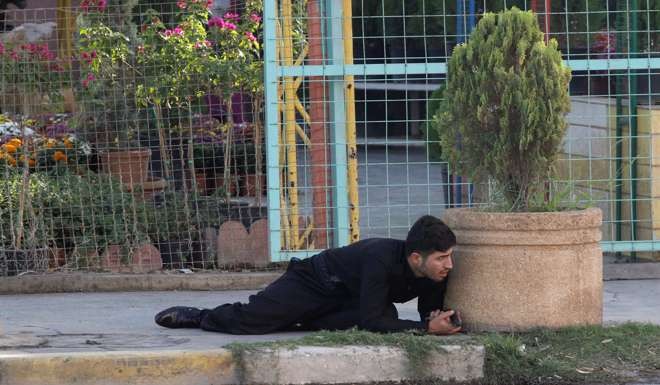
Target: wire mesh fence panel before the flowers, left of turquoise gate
{"points": [[132, 137]]}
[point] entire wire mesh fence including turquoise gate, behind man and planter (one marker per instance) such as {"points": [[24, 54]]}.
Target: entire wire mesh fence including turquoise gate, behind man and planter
{"points": [[146, 135]]}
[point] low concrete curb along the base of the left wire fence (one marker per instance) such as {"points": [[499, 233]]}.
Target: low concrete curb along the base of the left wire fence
{"points": [[97, 282]]}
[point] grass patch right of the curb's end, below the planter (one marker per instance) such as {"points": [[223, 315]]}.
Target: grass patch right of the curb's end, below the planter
{"points": [[572, 355]]}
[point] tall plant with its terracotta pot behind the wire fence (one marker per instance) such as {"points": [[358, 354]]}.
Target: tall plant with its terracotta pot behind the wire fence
{"points": [[109, 113]]}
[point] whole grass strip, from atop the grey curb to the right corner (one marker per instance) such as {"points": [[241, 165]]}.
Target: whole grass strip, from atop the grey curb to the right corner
{"points": [[588, 354]]}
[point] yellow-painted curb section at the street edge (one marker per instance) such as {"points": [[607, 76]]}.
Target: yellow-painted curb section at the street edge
{"points": [[119, 368]]}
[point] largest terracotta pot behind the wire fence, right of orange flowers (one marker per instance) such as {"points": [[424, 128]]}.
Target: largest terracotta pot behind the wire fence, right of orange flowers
{"points": [[130, 166]]}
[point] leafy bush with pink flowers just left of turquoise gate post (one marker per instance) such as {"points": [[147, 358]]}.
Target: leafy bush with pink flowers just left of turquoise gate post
{"points": [[199, 55]]}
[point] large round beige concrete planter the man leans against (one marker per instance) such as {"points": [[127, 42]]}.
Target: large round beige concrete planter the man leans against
{"points": [[517, 271]]}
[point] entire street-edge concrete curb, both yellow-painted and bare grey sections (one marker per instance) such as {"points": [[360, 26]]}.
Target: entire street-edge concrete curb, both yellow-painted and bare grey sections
{"points": [[303, 365]]}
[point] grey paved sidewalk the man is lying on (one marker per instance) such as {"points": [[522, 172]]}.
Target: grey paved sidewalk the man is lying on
{"points": [[81, 322]]}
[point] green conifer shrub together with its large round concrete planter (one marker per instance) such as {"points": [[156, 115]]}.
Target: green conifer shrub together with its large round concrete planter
{"points": [[517, 266]]}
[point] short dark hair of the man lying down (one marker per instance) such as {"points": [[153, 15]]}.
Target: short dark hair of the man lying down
{"points": [[429, 234]]}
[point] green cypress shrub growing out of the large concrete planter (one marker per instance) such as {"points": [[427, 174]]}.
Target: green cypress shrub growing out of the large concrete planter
{"points": [[503, 115]]}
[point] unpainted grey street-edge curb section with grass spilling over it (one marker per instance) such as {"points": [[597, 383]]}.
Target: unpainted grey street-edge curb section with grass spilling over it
{"points": [[359, 364]]}
